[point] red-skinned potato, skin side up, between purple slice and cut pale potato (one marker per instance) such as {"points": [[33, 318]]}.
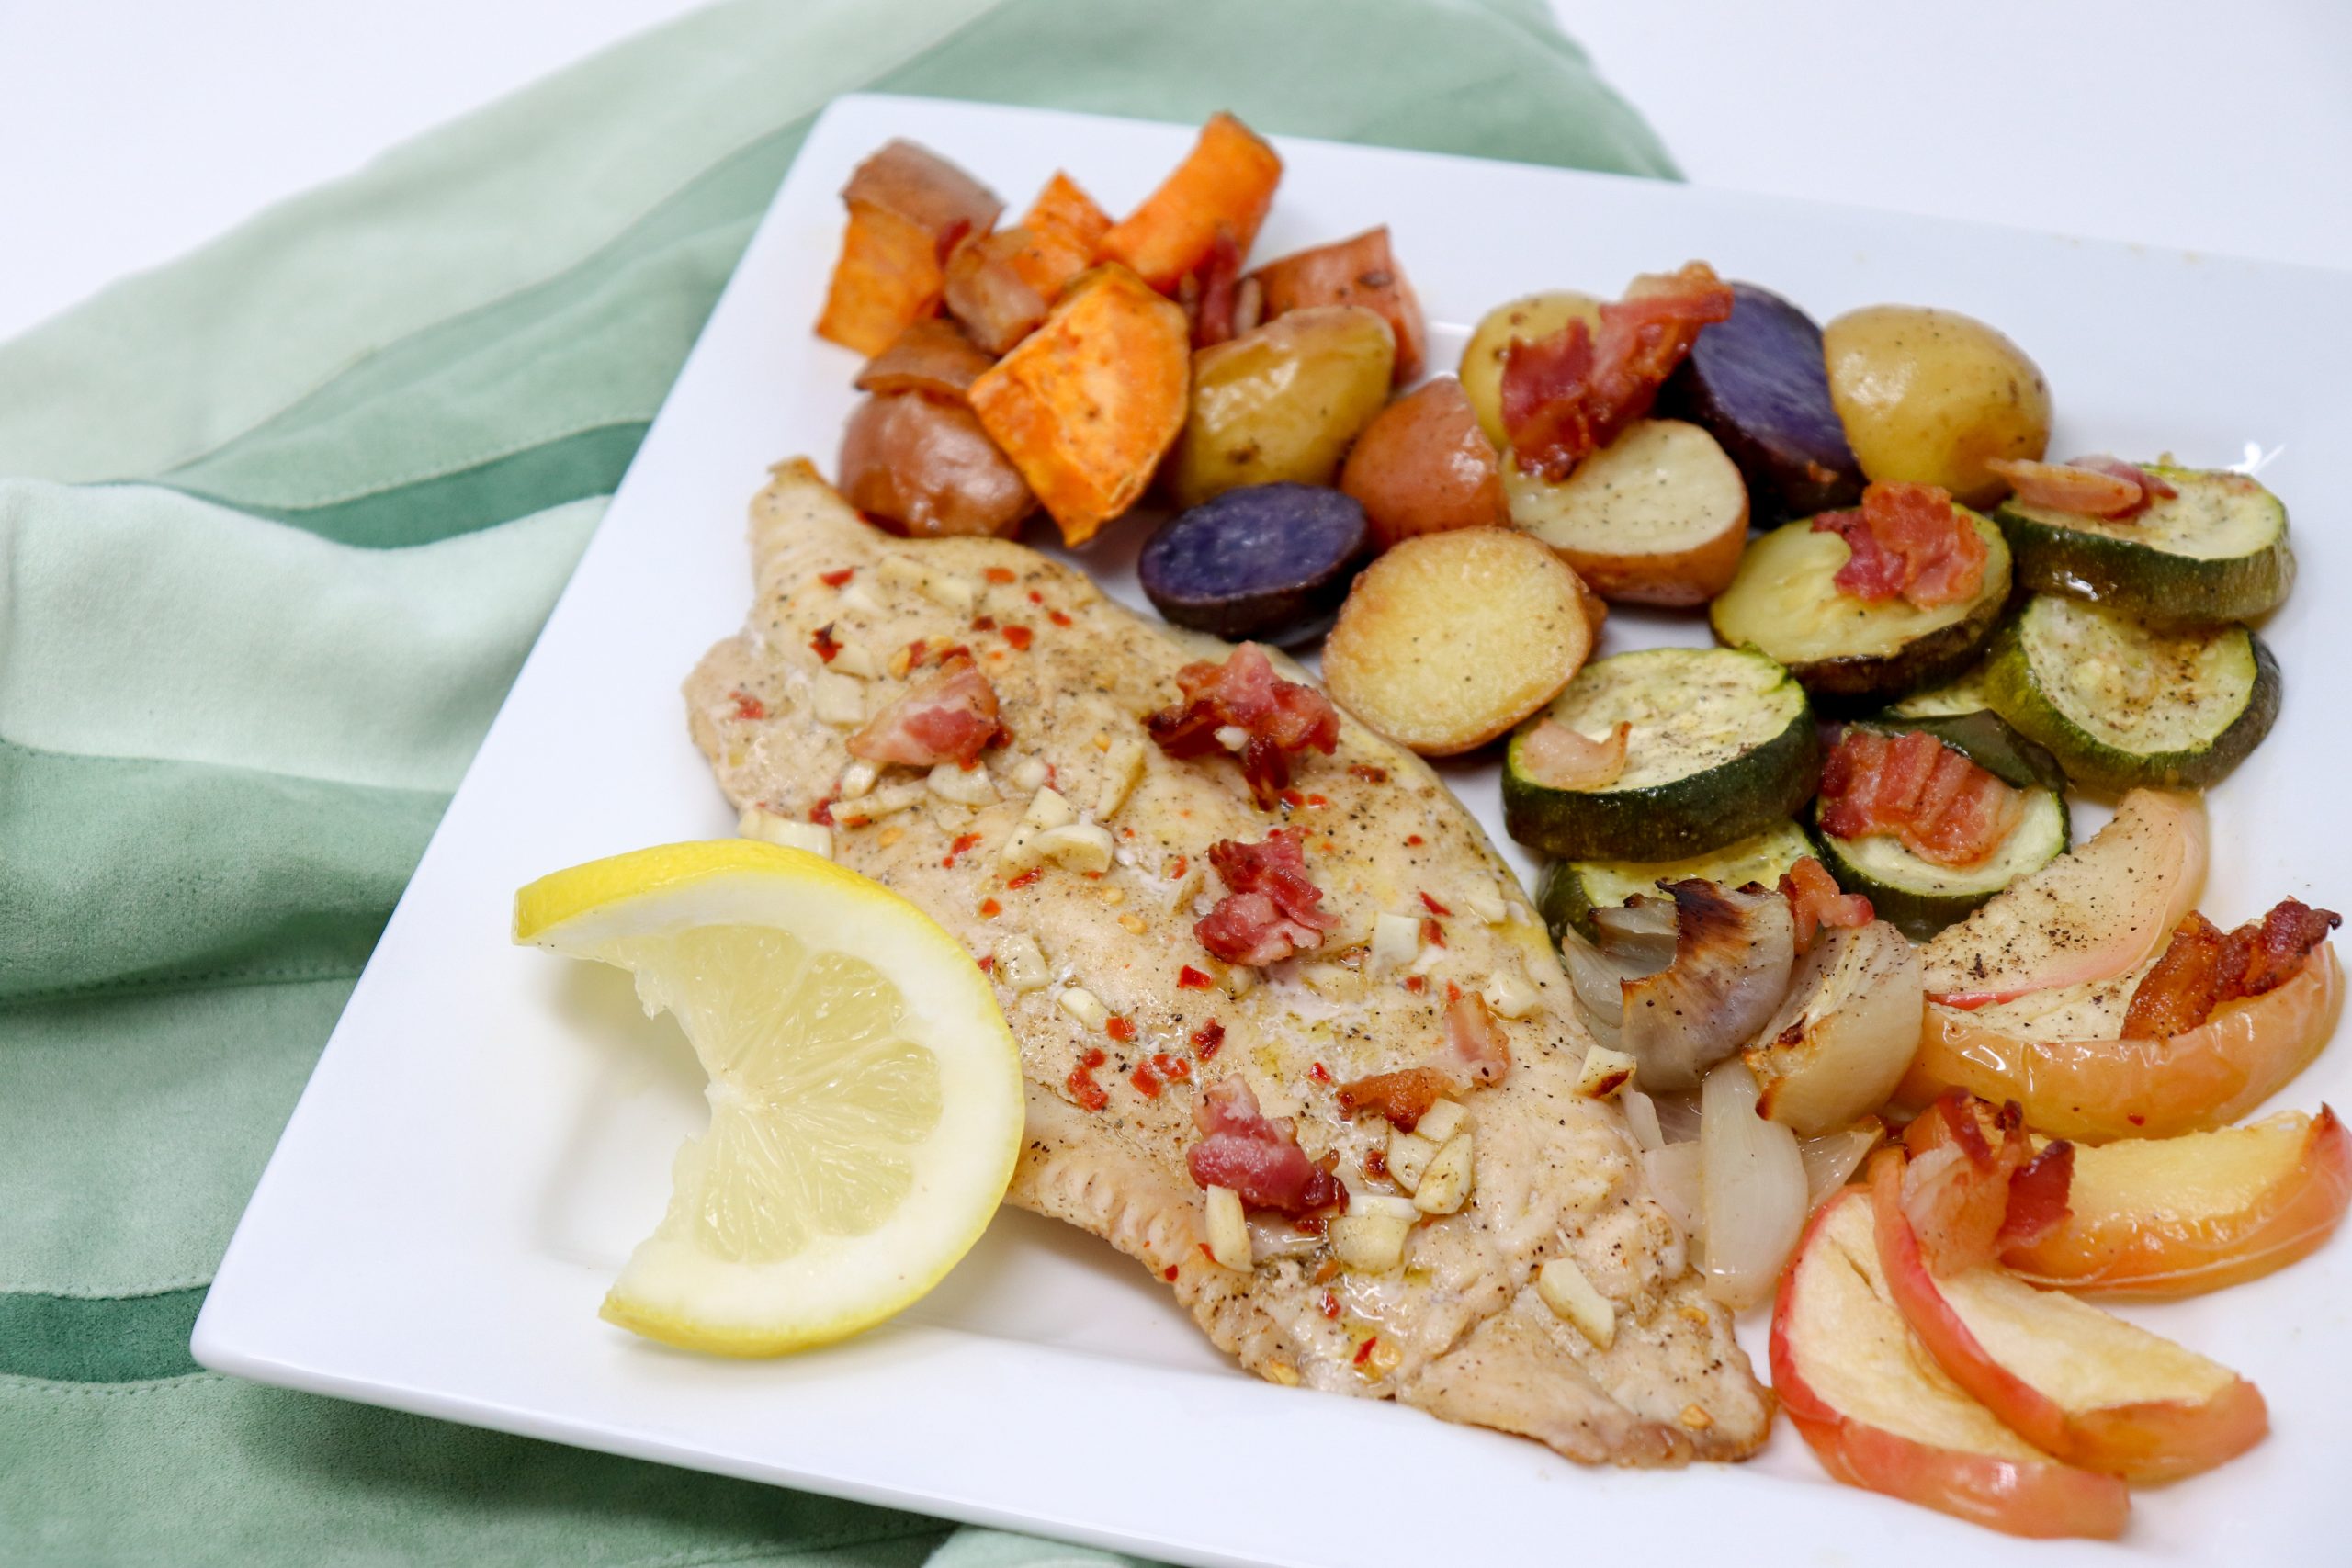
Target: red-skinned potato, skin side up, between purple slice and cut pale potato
{"points": [[1424, 467]]}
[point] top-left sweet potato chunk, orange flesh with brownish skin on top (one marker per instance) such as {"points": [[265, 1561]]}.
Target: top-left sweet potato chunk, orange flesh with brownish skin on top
{"points": [[909, 210]]}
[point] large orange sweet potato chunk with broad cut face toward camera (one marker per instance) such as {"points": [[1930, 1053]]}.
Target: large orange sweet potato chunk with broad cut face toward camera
{"points": [[1090, 401]]}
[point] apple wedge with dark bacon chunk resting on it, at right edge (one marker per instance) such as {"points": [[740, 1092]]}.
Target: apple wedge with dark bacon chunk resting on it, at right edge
{"points": [[2057, 1054]]}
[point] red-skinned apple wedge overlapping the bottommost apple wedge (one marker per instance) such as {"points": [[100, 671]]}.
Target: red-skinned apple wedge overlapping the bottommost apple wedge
{"points": [[2069, 1379]]}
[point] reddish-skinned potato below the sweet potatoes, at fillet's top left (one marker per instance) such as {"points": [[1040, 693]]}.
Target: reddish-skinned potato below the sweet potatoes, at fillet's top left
{"points": [[923, 467]]}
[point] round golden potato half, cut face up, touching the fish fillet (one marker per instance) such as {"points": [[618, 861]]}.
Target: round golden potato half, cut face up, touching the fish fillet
{"points": [[1452, 638]]}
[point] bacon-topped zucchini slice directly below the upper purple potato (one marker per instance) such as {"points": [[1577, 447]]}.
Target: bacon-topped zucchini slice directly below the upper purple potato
{"points": [[1786, 605]]}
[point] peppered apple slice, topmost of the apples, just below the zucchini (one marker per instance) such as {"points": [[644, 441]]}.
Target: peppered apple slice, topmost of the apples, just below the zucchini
{"points": [[2090, 916]]}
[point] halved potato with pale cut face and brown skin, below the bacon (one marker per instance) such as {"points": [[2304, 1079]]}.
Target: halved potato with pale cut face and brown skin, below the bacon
{"points": [[1659, 516]]}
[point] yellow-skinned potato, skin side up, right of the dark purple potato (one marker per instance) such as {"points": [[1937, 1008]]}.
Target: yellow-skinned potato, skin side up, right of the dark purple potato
{"points": [[1930, 396]]}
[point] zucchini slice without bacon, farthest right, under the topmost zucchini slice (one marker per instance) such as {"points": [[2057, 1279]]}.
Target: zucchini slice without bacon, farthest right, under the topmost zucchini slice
{"points": [[2125, 704]]}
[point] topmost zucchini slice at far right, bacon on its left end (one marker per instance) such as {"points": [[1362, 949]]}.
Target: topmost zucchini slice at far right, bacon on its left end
{"points": [[2212, 554]]}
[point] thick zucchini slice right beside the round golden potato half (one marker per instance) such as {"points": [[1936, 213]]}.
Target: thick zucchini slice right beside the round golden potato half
{"points": [[1723, 746]]}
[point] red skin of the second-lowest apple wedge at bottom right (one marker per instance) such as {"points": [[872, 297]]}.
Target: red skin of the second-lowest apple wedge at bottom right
{"points": [[2139, 1442]]}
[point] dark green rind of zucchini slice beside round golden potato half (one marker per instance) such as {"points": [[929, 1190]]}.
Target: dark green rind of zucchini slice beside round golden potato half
{"points": [[1671, 822]]}
